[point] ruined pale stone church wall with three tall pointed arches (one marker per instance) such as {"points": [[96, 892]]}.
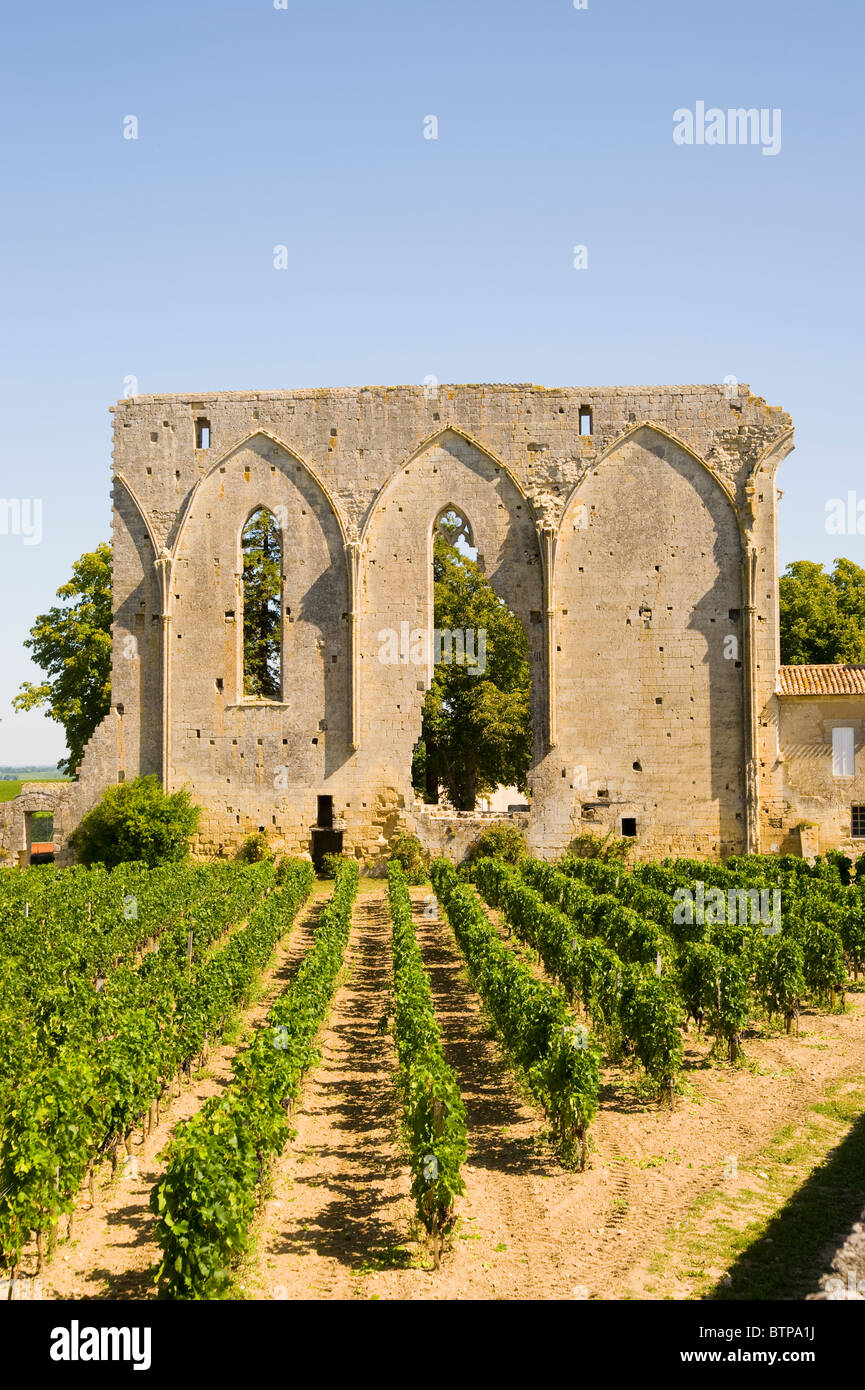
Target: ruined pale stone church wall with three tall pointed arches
{"points": [[579, 533]]}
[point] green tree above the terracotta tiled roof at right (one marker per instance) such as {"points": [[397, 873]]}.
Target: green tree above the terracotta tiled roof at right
{"points": [[823, 616]]}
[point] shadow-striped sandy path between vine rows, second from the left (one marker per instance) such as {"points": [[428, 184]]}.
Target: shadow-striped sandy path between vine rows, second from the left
{"points": [[340, 1195]]}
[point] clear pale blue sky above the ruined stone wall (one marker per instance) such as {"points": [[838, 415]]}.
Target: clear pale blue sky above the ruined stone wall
{"points": [[304, 127]]}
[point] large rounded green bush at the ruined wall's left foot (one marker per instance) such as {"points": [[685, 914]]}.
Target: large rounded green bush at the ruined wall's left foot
{"points": [[137, 822]]}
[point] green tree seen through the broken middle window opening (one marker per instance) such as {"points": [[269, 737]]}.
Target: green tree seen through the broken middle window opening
{"points": [[476, 723]]}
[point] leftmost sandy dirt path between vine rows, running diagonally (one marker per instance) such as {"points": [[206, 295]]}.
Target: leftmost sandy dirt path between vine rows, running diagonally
{"points": [[112, 1252]]}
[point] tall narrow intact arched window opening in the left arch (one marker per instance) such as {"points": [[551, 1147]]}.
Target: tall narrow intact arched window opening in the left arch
{"points": [[262, 555]]}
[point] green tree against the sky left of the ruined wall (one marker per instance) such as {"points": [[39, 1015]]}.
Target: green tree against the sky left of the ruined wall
{"points": [[73, 646]]}
